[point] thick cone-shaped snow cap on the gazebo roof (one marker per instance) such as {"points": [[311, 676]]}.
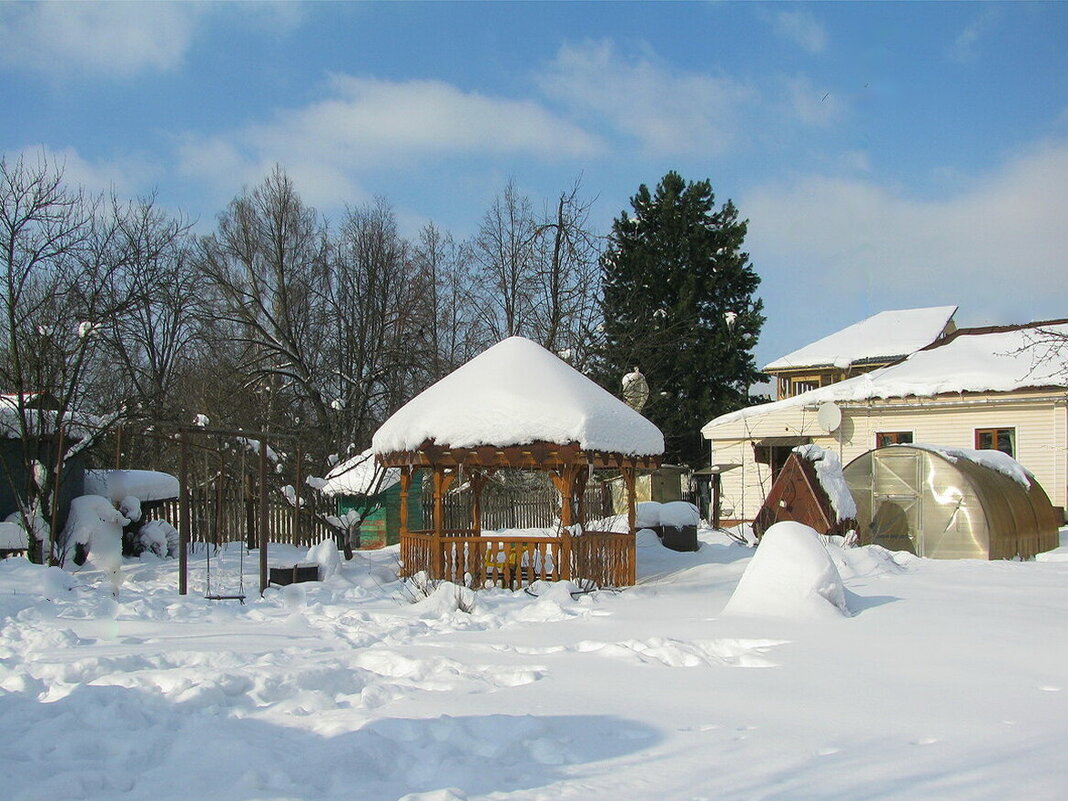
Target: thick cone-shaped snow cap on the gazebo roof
{"points": [[514, 394]]}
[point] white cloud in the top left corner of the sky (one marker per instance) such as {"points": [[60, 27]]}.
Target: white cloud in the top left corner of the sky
{"points": [[103, 39]]}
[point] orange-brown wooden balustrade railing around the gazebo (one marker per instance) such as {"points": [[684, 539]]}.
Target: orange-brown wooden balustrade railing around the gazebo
{"points": [[604, 559]]}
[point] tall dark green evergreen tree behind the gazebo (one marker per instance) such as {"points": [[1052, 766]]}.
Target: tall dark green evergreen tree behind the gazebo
{"points": [[679, 305]]}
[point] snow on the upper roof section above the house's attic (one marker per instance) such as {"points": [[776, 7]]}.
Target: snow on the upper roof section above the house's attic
{"points": [[882, 337]]}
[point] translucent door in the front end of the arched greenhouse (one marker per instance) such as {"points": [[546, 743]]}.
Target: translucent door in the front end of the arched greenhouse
{"points": [[897, 523]]}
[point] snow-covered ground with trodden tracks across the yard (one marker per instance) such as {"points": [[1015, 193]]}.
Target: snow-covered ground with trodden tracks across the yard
{"points": [[949, 682]]}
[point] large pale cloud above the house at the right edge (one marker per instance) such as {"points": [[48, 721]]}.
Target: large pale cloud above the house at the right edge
{"points": [[997, 247]]}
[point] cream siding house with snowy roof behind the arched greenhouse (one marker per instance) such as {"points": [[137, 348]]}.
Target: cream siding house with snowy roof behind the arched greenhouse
{"points": [[975, 388]]}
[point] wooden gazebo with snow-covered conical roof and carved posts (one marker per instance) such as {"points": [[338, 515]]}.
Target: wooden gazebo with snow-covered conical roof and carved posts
{"points": [[519, 407]]}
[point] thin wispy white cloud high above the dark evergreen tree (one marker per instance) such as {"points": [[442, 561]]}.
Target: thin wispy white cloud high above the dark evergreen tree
{"points": [[668, 112]]}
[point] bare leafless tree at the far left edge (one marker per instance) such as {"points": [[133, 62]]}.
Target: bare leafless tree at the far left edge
{"points": [[62, 257]]}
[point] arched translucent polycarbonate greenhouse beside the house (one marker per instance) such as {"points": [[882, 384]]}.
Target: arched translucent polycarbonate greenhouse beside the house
{"points": [[946, 506]]}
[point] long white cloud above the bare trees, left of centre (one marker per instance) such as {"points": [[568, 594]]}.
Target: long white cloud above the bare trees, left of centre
{"points": [[367, 124]]}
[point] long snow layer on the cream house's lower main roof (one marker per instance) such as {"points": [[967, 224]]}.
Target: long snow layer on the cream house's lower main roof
{"points": [[969, 360]]}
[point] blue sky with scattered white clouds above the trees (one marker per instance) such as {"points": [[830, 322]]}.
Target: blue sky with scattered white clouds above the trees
{"points": [[887, 155]]}
